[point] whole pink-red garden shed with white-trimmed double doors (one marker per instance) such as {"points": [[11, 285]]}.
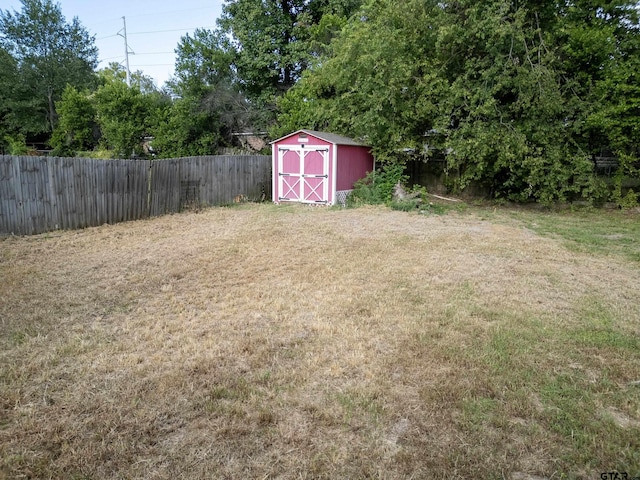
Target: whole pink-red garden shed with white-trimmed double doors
{"points": [[317, 167]]}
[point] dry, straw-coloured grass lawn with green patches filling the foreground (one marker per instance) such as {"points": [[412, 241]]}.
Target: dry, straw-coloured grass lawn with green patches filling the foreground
{"points": [[292, 342]]}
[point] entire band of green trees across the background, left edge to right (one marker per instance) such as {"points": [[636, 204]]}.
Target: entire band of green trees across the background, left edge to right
{"points": [[518, 96]]}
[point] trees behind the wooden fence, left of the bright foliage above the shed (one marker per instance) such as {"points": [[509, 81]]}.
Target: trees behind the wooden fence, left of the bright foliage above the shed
{"points": [[227, 80]]}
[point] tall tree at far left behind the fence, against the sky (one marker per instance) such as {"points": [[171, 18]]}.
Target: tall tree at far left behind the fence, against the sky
{"points": [[50, 53]]}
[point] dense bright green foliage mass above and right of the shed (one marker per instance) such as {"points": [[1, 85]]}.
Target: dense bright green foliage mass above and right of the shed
{"points": [[519, 96]]}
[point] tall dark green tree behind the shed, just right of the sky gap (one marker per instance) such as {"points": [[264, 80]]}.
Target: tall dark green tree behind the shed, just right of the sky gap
{"points": [[275, 40]]}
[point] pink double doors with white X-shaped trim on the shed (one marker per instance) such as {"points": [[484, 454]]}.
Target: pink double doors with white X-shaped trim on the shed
{"points": [[303, 174]]}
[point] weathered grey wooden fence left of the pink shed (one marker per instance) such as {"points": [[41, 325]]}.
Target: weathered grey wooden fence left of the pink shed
{"points": [[40, 194]]}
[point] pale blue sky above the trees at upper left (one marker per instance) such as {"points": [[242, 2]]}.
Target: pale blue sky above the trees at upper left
{"points": [[154, 28]]}
